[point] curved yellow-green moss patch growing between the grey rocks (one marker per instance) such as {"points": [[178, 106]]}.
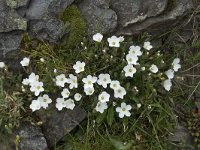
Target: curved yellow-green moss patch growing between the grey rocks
{"points": [[77, 25]]}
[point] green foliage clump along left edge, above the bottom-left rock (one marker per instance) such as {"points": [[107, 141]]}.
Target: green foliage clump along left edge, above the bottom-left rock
{"points": [[10, 102]]}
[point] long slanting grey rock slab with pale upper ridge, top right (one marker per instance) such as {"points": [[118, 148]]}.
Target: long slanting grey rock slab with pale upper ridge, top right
{"points": [[168, 19]]}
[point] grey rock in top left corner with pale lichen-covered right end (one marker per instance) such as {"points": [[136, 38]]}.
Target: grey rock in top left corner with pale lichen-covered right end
{"points": [[10, 20]]}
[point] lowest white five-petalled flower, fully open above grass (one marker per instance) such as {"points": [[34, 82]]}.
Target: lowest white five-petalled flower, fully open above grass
{"points": [[124, 110]]}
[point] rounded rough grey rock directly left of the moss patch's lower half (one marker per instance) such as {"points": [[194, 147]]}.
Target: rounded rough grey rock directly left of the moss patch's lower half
{"points": [[50, 29]]}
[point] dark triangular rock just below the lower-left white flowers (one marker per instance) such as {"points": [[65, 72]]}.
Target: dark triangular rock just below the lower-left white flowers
{"points": [[58, 124]]}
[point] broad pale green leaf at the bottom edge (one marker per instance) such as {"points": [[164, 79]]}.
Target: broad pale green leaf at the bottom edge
{"points": [[119, 145]]}
